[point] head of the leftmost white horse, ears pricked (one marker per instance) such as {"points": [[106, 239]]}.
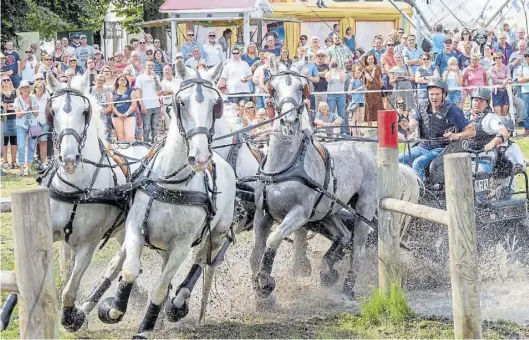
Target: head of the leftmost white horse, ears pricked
{"points": [[69, 112]]}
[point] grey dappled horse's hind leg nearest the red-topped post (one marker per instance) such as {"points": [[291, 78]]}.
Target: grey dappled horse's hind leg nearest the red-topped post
{"points": [[366, 207]]}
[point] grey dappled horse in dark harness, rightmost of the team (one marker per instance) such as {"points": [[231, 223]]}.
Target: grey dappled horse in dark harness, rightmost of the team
{"points": [[286, 205]]}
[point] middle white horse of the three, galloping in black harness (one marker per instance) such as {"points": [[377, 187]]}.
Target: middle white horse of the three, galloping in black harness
{"points": [[187, 195]]}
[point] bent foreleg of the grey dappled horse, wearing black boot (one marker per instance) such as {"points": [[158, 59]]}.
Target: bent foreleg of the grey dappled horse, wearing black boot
{"points": [[294, 220]]}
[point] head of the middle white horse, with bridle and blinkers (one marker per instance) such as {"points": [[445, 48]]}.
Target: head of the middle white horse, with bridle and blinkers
{"points": [[197, 105]]}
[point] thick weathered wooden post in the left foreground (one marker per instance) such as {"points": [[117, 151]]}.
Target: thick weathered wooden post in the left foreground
{"points": [[33, 243]]}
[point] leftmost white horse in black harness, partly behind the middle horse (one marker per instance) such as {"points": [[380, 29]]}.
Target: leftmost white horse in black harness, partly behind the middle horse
{"points": [[82, 171]]}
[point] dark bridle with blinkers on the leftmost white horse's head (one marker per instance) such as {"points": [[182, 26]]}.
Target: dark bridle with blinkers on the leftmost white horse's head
{"points": [[50, 116]]}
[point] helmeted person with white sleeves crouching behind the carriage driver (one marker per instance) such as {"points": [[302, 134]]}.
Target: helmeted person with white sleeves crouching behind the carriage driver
{"points": [[489, 124]]}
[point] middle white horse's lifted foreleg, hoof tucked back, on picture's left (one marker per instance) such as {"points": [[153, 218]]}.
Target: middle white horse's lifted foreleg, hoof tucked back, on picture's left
{"points": [[112, 309]]}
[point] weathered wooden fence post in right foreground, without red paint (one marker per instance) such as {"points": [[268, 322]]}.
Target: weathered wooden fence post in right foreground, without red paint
{"points": [[462, 238]]}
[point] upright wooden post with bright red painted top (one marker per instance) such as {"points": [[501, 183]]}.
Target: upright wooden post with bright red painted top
{"points": [[389, 267]]}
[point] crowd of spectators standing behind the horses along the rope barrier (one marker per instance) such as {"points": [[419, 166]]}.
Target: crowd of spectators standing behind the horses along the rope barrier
{"points": [[134, 86]]}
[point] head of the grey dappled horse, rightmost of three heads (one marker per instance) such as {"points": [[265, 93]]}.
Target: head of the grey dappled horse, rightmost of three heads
{"points": [[289, 88]]}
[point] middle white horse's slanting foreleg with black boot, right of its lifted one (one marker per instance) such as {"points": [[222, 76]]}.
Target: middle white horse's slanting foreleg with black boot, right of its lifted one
{"points": [[175, 258]]}
